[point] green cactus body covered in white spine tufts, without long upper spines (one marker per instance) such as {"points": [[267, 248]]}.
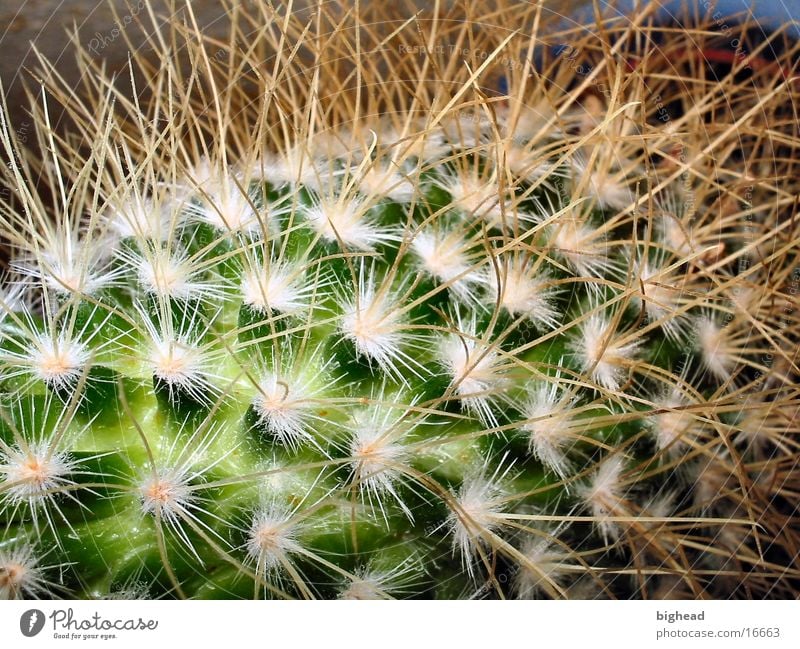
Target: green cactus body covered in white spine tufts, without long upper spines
{"points": [[337, 347]]}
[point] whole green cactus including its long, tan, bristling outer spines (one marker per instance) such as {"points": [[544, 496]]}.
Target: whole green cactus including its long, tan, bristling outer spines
{"points": [[368, 305]]}
